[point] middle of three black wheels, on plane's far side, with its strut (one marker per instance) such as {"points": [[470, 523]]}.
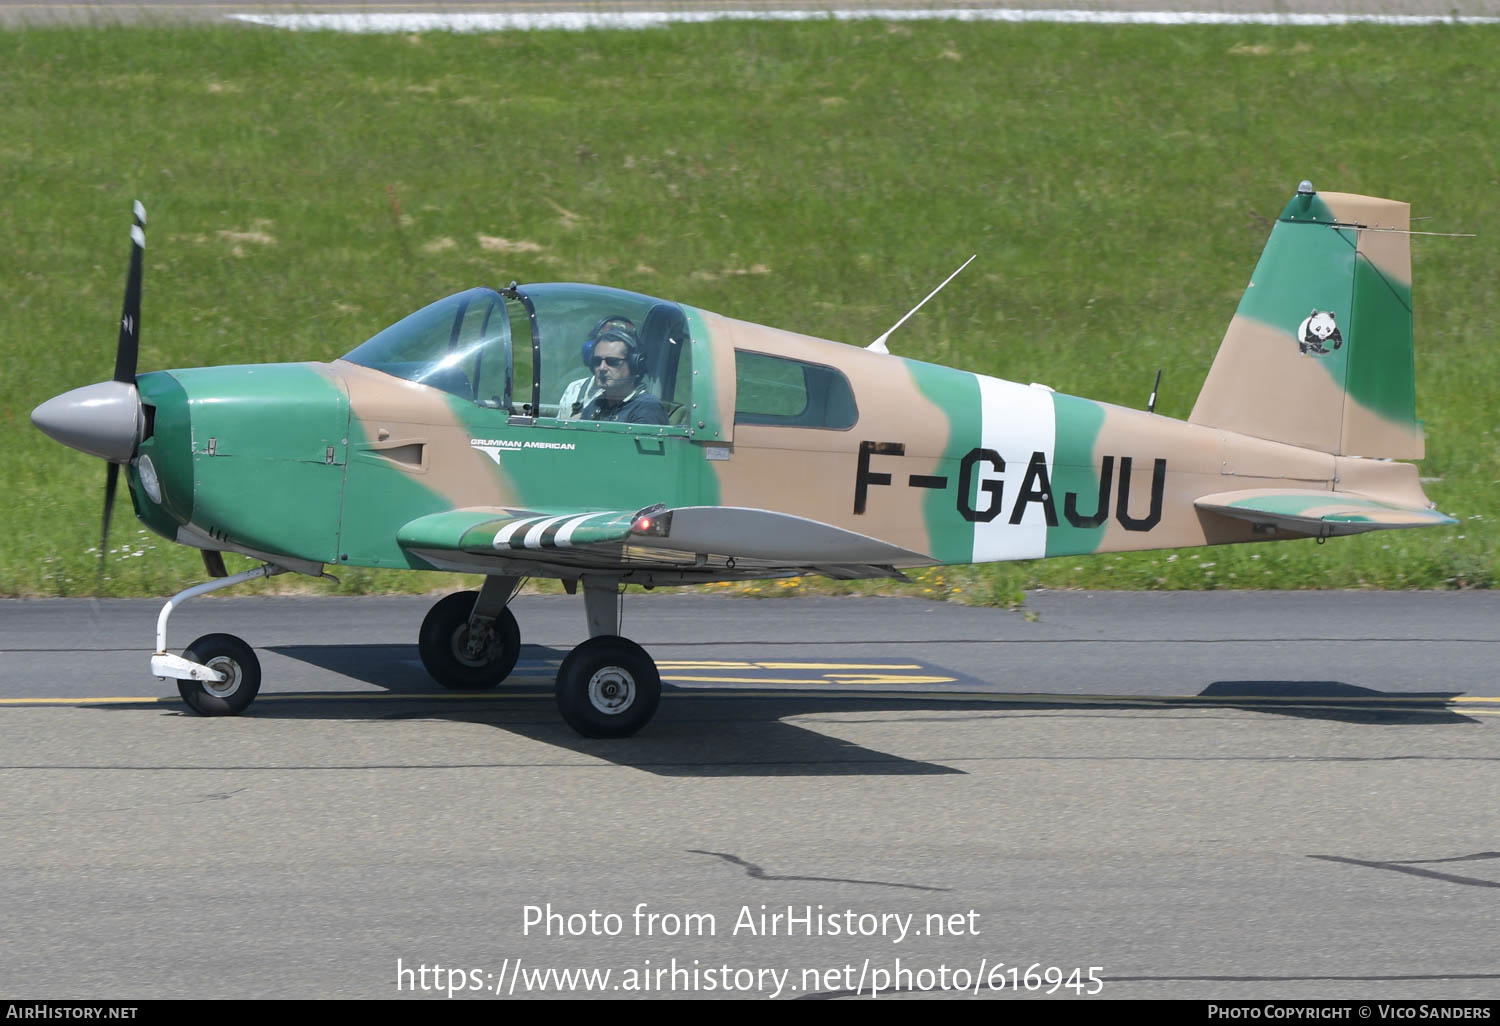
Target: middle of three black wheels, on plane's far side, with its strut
{"points": [[470, 641]]}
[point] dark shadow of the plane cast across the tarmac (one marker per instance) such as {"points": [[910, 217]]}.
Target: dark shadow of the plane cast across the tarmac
{"points": [[730, 733]]}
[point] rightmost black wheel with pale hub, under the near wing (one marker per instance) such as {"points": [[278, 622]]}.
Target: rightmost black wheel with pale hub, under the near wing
{"points": [[608, 688]]}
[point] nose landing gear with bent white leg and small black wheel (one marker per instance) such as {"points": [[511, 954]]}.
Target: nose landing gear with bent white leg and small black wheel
{"points": [[218, 674]]}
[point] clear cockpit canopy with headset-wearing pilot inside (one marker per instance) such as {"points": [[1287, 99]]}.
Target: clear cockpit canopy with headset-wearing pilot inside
{"points": [[532, 352]]}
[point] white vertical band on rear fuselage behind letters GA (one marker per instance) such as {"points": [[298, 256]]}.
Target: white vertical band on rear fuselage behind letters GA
{"points": [[1016, 422]]}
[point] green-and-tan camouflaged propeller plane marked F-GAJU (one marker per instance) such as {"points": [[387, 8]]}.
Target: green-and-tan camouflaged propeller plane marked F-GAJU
{"points": [[604, 437]]}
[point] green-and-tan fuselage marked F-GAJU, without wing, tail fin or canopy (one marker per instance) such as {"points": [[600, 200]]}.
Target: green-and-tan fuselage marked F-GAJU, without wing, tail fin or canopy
{"points": [[325, 463]]}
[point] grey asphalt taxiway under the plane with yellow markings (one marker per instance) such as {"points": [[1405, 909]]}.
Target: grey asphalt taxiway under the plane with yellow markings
{"points": [[1205, 796]]}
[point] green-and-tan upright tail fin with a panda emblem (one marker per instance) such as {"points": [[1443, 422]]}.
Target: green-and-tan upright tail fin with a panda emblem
{"points": [[1319, 353]]}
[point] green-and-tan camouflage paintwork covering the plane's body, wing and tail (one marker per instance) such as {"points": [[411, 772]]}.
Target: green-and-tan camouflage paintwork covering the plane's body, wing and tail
{"points": [[341, 464]]}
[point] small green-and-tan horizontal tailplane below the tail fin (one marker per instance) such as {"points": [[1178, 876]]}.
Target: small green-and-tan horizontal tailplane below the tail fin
{"points": [[1321, 514]]}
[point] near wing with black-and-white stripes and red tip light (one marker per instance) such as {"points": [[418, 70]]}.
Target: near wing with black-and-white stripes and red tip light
{"points": [[692, 542]]}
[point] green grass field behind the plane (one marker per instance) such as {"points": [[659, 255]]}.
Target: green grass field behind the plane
{"points": [[1118, 184]]}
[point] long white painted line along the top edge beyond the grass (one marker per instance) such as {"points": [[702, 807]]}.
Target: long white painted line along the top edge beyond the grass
{"points": [[581, 20]]}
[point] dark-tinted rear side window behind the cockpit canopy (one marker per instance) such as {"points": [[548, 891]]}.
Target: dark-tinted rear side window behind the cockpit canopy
{"points": [[778, 391]]}
